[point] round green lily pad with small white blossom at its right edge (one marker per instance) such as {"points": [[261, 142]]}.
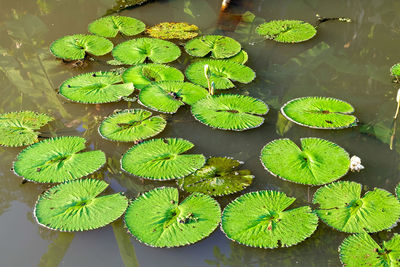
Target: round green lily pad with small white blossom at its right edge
{"points": [[317, 162]]}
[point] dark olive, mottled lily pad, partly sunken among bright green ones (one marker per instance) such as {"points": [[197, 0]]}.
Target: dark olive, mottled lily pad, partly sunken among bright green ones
{"points": [[217, 178]]}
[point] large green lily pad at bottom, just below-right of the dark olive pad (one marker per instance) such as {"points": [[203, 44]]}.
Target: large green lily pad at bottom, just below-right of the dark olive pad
{"points": [[260, 219]]}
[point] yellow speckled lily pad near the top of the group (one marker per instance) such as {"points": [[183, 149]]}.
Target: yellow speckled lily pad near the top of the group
{"points": [[173, 30]]}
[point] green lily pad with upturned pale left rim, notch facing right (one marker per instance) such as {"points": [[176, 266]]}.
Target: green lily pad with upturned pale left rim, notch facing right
{"points": [[320, 112]]}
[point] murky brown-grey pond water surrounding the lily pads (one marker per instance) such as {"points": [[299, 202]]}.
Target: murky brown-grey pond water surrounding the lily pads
{"points": [[349, 61]]}
